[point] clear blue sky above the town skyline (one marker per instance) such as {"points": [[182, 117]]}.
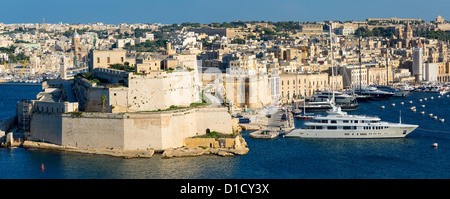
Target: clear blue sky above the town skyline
{"points": [[207, 11]]}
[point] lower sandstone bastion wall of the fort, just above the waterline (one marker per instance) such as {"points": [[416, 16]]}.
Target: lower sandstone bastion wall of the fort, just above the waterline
{"points": [[128, 131]]}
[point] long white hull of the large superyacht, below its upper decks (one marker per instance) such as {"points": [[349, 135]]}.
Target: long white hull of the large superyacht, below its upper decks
{"points": [[394, 131]]}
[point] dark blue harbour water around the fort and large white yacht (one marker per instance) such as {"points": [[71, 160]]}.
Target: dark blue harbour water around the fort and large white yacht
{"points": [[281, 158]]}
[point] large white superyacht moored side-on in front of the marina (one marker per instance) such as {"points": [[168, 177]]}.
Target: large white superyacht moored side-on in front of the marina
{"points": [[338, 124]]}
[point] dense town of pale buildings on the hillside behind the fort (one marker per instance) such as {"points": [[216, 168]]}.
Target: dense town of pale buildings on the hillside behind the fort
{"points": [[386, 48]]}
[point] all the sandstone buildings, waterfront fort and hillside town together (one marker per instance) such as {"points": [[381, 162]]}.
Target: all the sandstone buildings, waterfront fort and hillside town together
{"points": [[122, 80]]}
